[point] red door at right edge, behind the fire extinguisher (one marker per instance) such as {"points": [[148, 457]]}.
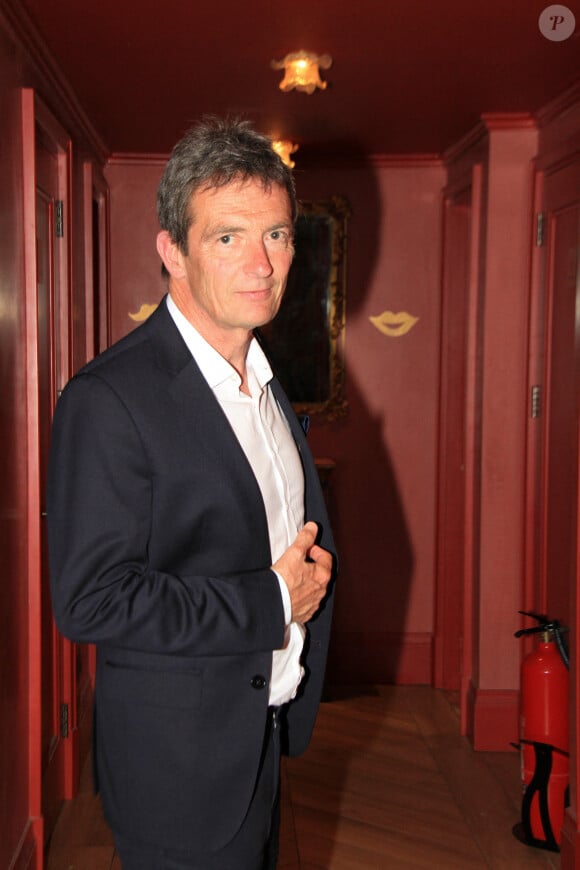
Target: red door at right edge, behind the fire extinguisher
{"points": [[559, 487]]}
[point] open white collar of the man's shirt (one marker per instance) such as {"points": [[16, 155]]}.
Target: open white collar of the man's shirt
{"points": [[213, 366]]}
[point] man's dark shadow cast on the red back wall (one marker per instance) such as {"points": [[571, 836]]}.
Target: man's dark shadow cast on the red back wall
{"points": [[375, 554]]}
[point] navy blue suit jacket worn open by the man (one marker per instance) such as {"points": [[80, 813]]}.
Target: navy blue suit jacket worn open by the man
{"points": [[159, 554]]}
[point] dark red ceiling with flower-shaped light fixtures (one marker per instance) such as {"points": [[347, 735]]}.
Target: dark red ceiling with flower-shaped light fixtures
{"points": [[409, 76]]}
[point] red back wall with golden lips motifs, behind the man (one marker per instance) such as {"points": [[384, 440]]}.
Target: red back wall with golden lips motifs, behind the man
{"points": [[383, 486]]}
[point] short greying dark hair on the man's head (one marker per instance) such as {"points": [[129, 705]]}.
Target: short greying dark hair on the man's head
{"points": [[212, 154]]}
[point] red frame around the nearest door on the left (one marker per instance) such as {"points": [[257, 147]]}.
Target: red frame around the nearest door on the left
{"points": [[34, 113]]}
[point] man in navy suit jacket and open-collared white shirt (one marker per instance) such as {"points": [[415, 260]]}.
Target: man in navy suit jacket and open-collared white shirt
{"points": [[188, 535]]}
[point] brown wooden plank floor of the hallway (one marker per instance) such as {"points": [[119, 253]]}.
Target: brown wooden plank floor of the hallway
{"points": [[386, 783]]}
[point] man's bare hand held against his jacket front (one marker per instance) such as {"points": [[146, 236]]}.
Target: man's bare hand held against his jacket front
{"points": [[306, 569]]}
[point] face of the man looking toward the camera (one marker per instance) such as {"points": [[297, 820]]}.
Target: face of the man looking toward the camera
{"points": [[239, 253]]}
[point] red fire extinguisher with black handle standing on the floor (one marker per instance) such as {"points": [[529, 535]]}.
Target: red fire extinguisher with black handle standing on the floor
{"points": [[544, 736]]}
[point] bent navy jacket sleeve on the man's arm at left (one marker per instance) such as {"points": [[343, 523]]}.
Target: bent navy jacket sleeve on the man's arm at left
{"points": [[101, 490]]}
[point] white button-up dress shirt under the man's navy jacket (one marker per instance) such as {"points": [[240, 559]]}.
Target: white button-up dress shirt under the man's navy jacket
{"points": [[265, 437]]}
